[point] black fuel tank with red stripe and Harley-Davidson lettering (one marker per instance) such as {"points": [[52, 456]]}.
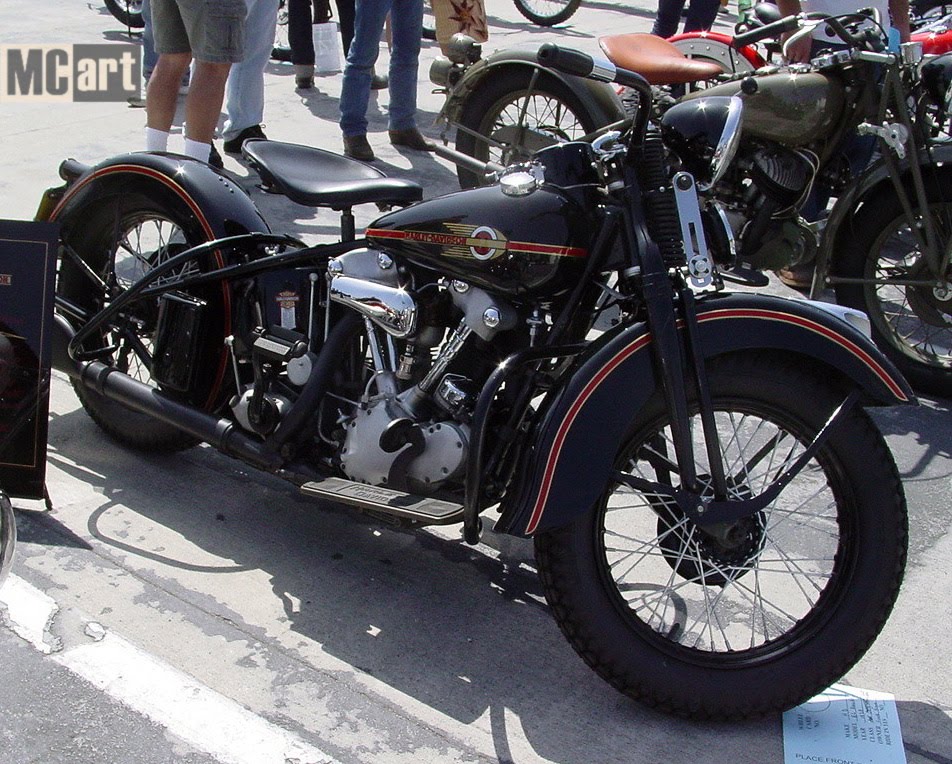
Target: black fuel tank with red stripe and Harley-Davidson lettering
{"points": [[536, 244]]}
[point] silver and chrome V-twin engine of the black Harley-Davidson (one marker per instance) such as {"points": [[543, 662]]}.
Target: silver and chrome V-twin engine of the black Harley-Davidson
{"points": [[404, 422]]}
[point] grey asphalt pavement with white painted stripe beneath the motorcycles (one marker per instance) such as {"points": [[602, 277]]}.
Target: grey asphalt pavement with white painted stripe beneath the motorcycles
{"points": [[187, 609]]}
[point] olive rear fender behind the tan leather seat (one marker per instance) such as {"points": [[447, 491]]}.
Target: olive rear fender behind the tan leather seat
{"points": [[598, 98]]}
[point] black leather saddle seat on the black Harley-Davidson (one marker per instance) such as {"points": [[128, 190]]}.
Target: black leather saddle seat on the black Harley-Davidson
{"points": [[318, 178]]}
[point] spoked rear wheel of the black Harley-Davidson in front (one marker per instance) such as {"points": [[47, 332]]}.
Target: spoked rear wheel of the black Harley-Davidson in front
{"points": [[120, 240]]}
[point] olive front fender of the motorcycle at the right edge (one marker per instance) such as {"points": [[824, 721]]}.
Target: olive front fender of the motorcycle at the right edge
{"points": [[874, 180]]}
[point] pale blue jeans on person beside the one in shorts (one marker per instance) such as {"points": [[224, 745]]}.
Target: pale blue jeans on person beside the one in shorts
{"points": [[244, 92]]}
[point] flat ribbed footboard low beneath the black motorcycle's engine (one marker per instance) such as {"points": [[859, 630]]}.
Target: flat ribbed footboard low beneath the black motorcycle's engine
{"points": [[384, 500]]}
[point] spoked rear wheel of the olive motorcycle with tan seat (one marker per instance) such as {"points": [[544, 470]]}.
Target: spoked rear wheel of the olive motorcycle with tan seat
{"points": [[508, 118]]}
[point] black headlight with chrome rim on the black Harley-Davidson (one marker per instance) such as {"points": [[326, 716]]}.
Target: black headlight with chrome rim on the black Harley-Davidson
{"points": [[705, 133]]}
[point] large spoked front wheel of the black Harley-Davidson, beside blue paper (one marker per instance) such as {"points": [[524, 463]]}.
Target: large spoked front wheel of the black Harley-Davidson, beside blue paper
{"points": [[740, 621]]}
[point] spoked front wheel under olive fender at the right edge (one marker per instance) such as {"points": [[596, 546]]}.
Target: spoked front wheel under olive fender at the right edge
{"points": [[912, 324]]}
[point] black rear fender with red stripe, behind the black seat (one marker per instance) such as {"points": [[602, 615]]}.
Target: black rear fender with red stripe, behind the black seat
{"points": [[220, 206]]}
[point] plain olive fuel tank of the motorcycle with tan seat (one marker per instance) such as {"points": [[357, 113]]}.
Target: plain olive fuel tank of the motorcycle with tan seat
{"points": [[795, 109]]}
